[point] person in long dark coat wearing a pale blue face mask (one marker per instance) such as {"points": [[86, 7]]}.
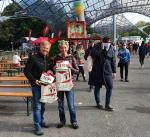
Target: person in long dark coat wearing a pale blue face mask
{"points": [[103, 71]]}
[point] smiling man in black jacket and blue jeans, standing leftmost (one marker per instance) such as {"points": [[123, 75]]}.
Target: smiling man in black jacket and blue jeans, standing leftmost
{"points": [[35, 66]]}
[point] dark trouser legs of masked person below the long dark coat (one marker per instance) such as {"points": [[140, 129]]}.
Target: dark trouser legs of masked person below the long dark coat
{"points": [[108, 95]]}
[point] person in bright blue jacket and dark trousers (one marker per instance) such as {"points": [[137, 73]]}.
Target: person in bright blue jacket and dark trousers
{"points": [[124, 61]]}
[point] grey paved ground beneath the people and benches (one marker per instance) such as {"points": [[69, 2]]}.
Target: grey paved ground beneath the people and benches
{"points": [[131, 117]]}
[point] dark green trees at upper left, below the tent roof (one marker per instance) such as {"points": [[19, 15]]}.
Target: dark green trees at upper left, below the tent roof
{"points": [[14, 30]]}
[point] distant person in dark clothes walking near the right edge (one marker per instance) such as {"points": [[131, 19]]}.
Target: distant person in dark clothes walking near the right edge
{"points": [[142, 52]]}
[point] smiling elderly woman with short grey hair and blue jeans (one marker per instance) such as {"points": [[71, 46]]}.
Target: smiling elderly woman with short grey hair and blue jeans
{"points": [[64, 56]]}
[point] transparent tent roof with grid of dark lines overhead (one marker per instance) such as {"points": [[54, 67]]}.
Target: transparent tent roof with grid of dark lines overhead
{"points": [[56, 12]]}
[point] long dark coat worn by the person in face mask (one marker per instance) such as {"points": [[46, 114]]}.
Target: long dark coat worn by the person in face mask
{"points": [[103, 66]]}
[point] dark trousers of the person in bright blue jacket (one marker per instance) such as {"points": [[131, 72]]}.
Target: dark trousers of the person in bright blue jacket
{"points": [[122, 66]]}
